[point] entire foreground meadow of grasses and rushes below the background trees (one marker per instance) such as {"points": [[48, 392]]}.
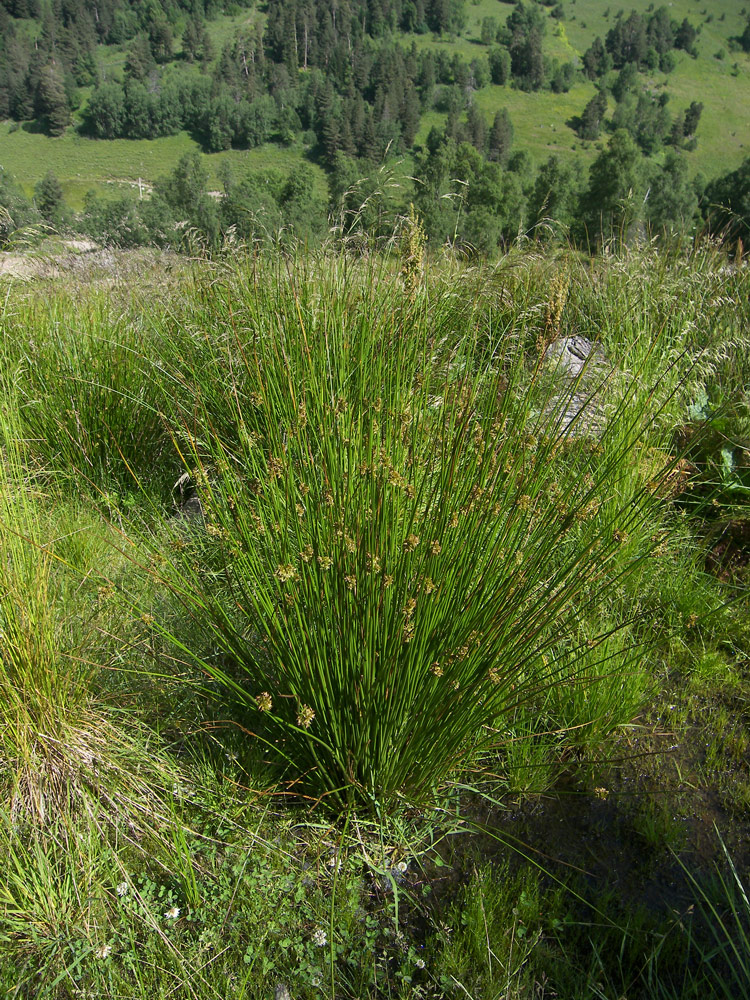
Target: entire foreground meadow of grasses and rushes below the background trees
{"points": [[351, 648]]}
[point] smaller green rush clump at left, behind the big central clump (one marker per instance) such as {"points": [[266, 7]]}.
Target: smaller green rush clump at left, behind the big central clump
{"points": [[82, 393]]}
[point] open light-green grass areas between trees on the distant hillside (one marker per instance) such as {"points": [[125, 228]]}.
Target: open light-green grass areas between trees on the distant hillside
{"points": [[719, 78]]}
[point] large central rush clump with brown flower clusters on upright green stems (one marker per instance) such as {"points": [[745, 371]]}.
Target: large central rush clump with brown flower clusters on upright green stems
{"points": [[402, 531]]}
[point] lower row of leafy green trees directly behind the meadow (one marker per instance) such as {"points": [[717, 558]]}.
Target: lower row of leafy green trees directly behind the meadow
{"points": [[461, 196]]}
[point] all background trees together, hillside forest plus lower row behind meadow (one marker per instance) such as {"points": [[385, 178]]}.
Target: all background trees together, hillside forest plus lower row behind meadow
{"points": [[339, 77]]}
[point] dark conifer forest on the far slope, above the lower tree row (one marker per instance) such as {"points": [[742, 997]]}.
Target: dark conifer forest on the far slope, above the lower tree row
{"points": [[331, 69]]}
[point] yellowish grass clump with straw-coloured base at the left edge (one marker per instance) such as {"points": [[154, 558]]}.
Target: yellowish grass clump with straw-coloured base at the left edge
{"points": [[58, 748]]}
